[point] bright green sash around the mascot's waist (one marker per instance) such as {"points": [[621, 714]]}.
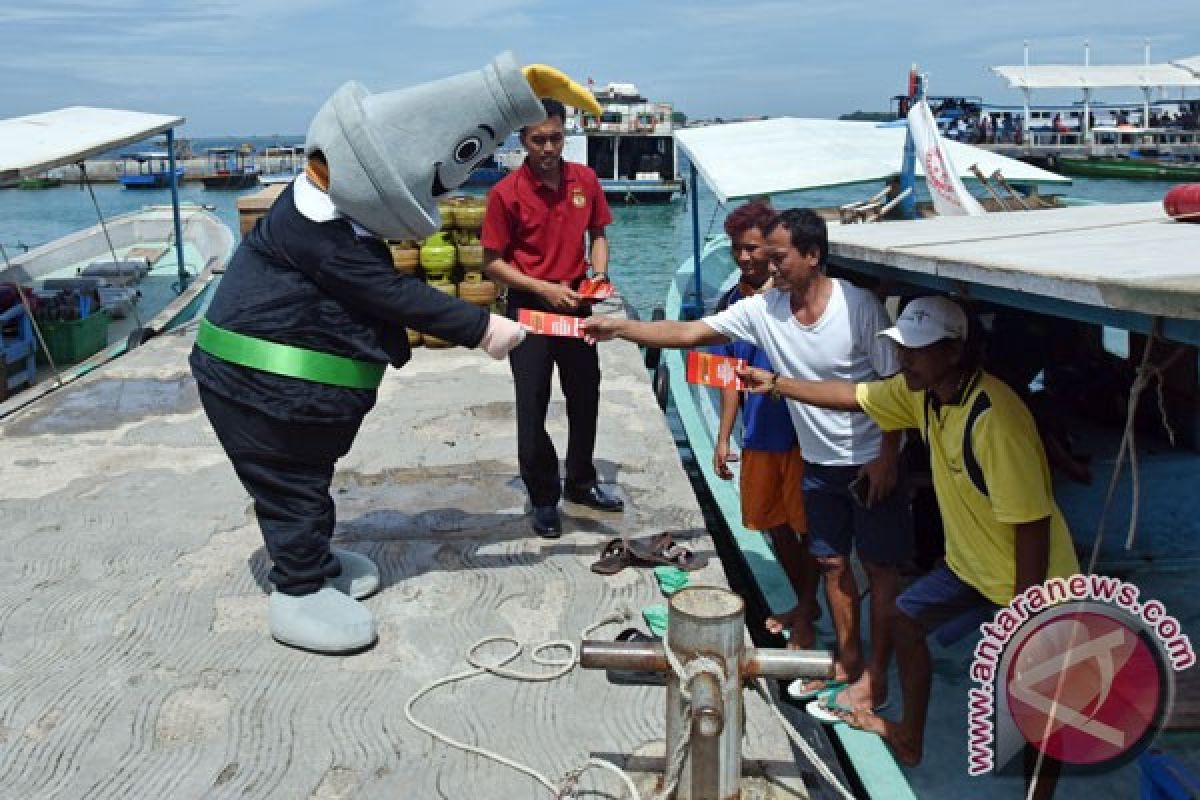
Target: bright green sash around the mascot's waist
{"points": [[289, 360]]}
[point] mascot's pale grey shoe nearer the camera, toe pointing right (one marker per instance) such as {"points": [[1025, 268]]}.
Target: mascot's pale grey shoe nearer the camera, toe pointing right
{"points": [[323, 622]]}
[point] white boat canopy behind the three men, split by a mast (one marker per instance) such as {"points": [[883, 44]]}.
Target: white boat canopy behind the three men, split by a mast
{"points": [[787, 154]]}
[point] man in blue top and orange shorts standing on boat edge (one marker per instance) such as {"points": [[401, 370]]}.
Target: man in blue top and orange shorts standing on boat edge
{"points": [[772, 468]]}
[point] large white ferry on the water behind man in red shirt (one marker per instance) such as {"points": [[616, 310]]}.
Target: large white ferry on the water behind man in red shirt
{"points": [[631, 146]]}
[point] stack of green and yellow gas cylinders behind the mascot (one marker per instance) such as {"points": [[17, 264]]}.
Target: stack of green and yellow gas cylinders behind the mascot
{"points": [[451, 261]]}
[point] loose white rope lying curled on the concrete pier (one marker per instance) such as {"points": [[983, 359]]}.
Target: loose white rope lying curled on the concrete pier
{"points": [[568, 786]]}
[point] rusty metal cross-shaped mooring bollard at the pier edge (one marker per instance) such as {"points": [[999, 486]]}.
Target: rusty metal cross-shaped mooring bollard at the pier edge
{"points": [[705, 713]]}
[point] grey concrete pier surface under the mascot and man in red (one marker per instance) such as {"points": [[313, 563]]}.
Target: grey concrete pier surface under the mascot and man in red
{"points": [[135, 660]]}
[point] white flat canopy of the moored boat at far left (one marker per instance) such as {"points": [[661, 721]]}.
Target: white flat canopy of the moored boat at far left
{"points": [[40, 142]]}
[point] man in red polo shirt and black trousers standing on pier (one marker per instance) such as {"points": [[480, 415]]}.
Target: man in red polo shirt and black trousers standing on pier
{"points": [[533, 242]]}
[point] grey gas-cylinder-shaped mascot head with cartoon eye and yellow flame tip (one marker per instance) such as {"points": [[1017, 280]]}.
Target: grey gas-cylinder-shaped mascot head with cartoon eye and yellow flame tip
{"points": [[393, 155]]}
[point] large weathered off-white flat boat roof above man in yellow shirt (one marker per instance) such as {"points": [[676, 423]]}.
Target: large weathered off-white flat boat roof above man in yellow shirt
{"points": [[1127, 258]]}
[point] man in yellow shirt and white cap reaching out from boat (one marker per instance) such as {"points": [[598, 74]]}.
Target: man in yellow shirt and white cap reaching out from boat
{"points": [[1004, 530]]}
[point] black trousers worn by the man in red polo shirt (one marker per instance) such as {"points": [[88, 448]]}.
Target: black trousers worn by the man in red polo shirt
{"points": [[579, 375]]}
